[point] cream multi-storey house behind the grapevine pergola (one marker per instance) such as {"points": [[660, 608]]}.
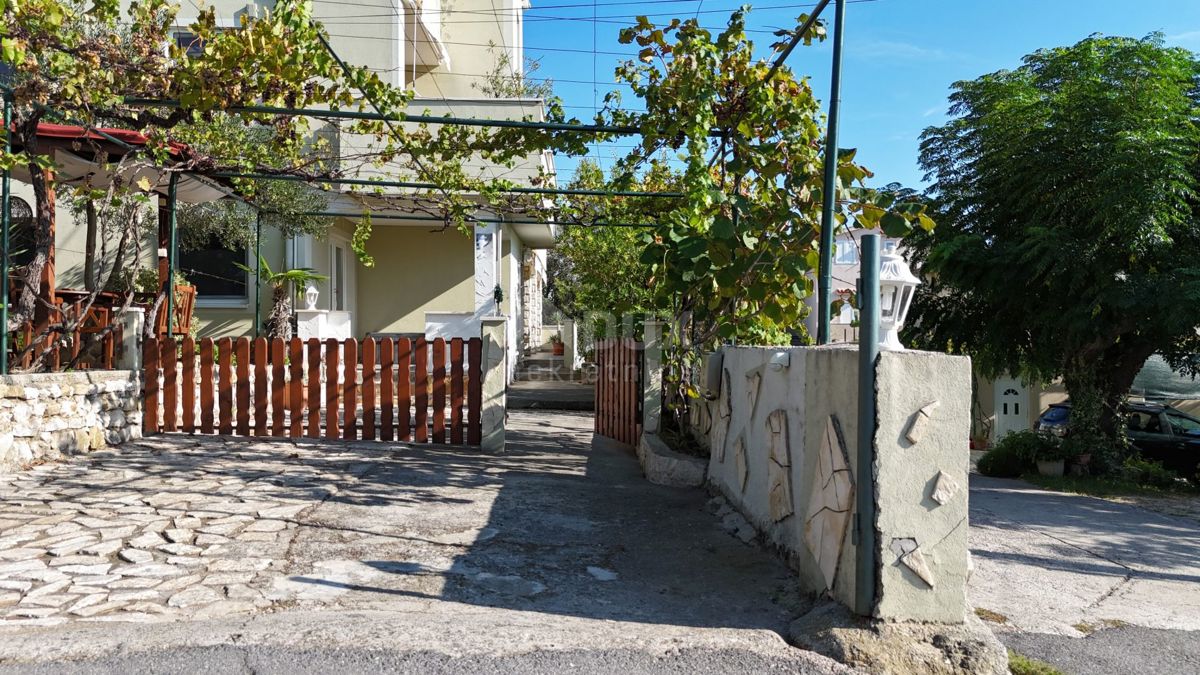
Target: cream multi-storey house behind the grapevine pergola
{"points": [[427, 279]]}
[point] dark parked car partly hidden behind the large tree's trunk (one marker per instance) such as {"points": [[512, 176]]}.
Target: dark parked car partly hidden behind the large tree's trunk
{"points": [[1157, 432]]}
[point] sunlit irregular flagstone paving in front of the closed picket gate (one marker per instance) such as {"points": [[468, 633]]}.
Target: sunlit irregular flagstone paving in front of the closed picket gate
{"points": [[160, 530]]}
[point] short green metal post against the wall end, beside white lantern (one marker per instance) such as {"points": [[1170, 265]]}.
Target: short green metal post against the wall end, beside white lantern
{"points": [[865, 489]]}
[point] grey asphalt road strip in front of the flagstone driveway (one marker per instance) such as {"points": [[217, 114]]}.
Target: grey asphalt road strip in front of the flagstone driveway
{"points": [[265, 661]]}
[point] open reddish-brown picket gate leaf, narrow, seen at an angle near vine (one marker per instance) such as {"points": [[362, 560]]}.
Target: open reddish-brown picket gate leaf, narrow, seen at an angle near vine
{"points": [[619, 401]]}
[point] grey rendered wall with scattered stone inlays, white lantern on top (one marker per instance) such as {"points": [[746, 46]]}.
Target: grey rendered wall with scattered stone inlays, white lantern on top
{"points": [[783, 432]]}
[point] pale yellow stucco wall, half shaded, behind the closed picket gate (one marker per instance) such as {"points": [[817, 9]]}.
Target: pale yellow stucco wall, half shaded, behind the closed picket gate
{"points": [[416, 272]]}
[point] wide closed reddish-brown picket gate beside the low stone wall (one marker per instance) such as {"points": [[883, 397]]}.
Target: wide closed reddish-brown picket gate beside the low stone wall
{"points": [[386, 390]]}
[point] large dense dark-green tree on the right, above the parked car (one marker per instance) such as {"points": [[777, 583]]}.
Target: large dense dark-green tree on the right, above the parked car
{"points": [[1067, 242]]}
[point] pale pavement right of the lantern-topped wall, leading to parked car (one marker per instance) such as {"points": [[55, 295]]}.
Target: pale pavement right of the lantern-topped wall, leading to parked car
{"points": [[1058, 568]]}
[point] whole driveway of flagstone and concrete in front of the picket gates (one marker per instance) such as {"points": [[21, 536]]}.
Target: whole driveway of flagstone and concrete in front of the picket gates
{"points": [[482, 561]]}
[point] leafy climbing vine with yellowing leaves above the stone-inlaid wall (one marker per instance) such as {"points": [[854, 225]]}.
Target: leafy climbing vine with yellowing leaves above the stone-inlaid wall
{"points": [[736, 254]]}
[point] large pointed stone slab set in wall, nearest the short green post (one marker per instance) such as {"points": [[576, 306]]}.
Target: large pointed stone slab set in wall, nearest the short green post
{"points": [[831, 504]]}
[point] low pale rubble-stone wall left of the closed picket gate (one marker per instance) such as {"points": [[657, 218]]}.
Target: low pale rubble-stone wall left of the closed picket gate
{"points": [[46, 416]]}
